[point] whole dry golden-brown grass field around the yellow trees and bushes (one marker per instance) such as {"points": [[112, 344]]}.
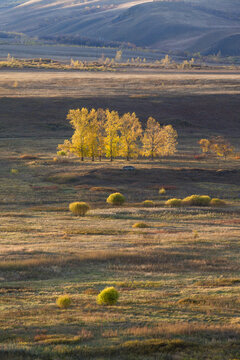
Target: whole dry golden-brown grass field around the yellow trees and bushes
{"points": [[178, 279]]}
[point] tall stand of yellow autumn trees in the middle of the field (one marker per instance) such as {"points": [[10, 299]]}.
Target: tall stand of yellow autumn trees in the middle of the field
{"points": [[99, 133]]}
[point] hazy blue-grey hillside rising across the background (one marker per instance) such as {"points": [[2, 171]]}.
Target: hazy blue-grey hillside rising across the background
{"points": [[190, 25]]}
